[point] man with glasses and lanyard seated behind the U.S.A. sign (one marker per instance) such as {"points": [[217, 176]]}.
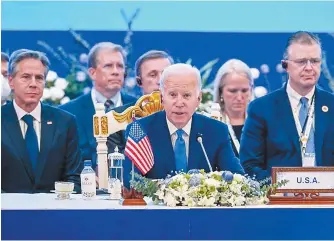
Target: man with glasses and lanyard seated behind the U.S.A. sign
{"points": [[292, 126]]}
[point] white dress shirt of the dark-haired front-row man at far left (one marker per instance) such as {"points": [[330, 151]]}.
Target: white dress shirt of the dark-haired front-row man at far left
{"points": [[36, 114]]}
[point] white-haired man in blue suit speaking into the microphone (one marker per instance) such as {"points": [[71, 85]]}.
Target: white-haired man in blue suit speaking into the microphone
{"points": [[173, 133]]}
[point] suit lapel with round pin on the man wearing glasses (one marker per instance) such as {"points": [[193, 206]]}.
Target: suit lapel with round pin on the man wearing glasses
{"points": [[321, 122]]}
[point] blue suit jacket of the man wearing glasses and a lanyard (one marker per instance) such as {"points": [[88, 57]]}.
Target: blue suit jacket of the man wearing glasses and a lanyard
{"points": [[270, 136]]}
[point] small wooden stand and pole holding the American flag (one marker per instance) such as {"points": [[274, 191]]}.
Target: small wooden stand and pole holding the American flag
{"points": [[132, 197]]}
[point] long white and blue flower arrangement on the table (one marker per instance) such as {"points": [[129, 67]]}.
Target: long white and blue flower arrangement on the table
{"points": [[199, 189]]}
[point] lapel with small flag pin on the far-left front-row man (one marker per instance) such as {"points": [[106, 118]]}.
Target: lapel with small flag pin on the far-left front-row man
{"points": [[48, 127]]}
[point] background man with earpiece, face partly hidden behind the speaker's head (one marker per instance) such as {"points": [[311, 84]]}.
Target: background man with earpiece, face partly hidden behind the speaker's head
{"points": [[148, 68]]}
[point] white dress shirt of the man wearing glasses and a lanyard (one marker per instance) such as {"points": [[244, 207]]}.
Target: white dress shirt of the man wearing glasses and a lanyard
{"points": [[294, 99]]}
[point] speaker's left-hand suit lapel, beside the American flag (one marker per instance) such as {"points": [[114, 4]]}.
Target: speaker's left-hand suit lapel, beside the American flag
{"points": [[164, 154]]}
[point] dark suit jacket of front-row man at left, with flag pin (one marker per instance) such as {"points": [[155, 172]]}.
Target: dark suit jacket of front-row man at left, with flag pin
{"points": [[59, 158]]}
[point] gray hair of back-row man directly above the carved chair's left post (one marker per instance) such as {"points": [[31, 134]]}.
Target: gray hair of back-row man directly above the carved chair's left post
{"points": [[92, 55]]}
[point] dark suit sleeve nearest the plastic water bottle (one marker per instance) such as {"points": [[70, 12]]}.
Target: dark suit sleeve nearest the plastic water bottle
{"points": [[73, 163]]}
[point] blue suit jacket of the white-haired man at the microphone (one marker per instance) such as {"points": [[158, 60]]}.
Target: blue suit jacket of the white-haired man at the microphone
{"points": [[216, 141]]}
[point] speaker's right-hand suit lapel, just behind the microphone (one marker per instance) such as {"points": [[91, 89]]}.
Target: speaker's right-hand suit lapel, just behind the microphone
{"points": [[195, 151]]}
